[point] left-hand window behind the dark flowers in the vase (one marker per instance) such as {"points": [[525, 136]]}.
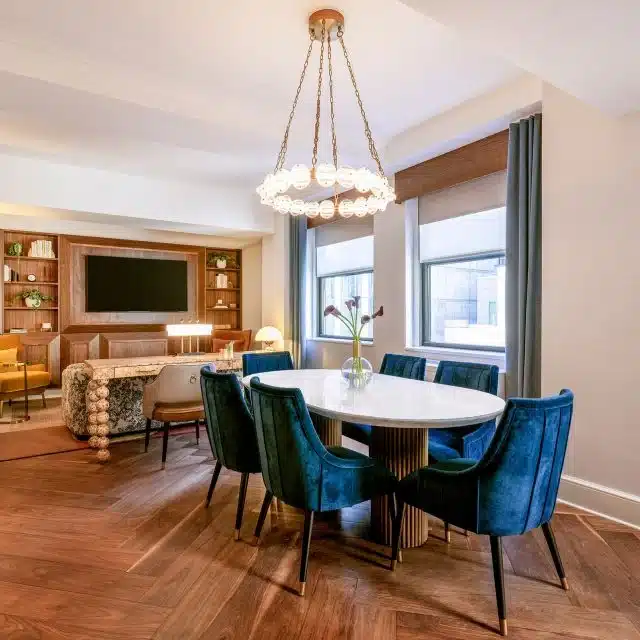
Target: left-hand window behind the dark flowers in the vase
{"points": [[343, 270]]}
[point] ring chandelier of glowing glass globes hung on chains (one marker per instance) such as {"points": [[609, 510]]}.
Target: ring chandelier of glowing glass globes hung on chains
{"points": [[373, 189]]}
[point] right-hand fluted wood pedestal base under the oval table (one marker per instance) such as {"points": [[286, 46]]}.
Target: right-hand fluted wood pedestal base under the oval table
{"points": [[402, 451]]}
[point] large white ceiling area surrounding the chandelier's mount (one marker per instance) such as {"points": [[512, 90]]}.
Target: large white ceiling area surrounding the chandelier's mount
{"points": [[199, 90]]}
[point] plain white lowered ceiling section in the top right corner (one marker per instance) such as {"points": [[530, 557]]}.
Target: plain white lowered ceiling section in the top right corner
{"points": [[588, 48]]}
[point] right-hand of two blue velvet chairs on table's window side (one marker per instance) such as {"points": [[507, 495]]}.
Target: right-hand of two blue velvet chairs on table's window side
{"points": [[464, 442]]}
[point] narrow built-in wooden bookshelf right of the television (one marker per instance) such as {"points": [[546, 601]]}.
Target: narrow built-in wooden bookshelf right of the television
{"points": [[223, 288]]}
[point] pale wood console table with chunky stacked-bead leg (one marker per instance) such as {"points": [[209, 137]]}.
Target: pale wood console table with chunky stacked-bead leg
{"points": [[101, 371]]}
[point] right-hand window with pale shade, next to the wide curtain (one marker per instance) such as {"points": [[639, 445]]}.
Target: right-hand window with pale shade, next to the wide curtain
{"points": [[463, 281]]}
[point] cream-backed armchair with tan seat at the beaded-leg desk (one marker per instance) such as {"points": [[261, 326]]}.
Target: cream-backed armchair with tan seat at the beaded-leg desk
{"points": [[174, 396]]}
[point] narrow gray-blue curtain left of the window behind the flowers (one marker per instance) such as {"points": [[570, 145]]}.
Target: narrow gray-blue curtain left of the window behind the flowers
{"points": [[297, 280]]}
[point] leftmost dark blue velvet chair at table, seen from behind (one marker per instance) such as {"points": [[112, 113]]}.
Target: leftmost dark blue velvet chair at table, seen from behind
{"points": [[231, 432]]}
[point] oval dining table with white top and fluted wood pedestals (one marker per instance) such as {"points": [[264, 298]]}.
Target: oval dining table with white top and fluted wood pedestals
{"points": [[400, 412]]}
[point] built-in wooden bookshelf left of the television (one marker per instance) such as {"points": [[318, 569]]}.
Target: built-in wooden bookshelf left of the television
{"points": [[30, 261]]}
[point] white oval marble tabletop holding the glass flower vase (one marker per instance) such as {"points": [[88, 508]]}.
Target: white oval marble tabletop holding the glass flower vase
{"points": [[387, 401]]}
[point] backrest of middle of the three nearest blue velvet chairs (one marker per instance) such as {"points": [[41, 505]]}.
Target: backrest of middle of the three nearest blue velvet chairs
{"points": [[291, 452]]}
